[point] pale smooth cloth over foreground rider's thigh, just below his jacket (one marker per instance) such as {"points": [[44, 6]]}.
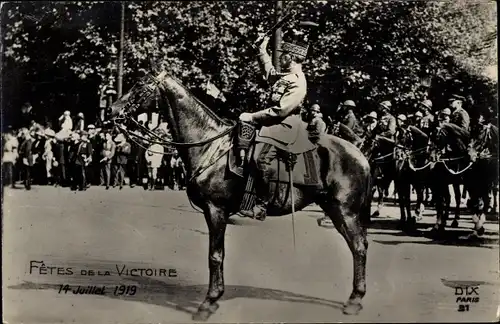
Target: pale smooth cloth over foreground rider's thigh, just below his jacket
{"points": [[290, 135]]}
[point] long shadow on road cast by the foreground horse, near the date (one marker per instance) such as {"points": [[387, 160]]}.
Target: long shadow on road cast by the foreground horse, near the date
{"points": [[186, 298]]}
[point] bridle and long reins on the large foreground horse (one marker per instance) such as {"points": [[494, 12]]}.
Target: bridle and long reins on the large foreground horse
{"points": [[151, 91]]}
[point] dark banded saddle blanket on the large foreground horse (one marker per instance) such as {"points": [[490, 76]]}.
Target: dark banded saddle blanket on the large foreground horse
{"points": [[305, 170]]}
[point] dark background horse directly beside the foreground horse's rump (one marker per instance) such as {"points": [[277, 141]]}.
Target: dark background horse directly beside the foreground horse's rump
{"points": [[380, 153]]}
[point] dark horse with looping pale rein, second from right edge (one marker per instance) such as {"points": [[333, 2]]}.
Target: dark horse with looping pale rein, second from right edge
{"points": [[452, 164]]}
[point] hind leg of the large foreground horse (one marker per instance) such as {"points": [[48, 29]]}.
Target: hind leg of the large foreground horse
{"points": [[349, 226]]}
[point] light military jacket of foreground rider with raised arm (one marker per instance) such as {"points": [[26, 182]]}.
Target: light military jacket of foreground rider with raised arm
{"points": [[288, 90]]}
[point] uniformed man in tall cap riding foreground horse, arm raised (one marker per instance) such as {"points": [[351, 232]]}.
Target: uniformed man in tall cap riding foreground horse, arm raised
{"points": [[289, 89]]}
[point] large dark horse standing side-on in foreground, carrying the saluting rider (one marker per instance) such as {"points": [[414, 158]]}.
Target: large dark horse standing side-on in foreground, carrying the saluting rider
{"points": [[344, 197]]}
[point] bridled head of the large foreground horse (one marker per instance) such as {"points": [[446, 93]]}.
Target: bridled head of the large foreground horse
{"points": [[141, 98]]}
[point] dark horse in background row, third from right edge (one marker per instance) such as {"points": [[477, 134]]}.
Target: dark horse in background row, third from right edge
{"points": [[412, 167]]}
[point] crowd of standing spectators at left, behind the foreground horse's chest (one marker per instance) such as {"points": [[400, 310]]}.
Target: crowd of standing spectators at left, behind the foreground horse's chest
{"points": [[79, 156]]}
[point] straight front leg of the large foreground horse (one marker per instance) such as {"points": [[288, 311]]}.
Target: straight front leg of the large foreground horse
{"points": [[216, 222]]}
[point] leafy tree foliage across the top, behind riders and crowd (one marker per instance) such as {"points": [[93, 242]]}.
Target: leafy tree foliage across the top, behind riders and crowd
{"points": [[366, 50]]}
